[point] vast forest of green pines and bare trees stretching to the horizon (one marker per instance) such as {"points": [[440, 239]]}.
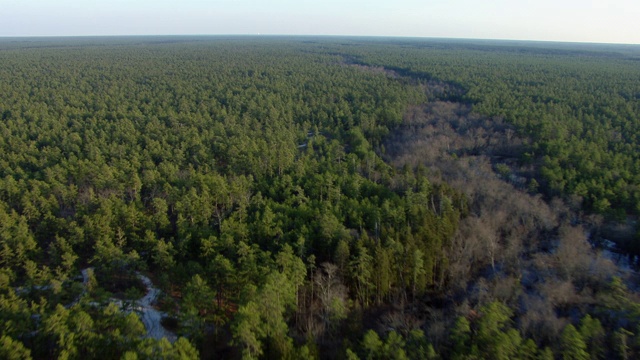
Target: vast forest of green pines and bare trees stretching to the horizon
{"points": [[318, 198]]}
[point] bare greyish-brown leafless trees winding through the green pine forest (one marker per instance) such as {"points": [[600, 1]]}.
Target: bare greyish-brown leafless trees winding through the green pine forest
{"points": [[513, 246]]}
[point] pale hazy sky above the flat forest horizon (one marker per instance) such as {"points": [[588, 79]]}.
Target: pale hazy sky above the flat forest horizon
{"points": [[601, 21]]}
